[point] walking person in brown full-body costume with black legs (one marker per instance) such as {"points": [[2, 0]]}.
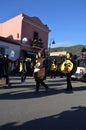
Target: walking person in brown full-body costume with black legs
{"points": [[40, 71]]}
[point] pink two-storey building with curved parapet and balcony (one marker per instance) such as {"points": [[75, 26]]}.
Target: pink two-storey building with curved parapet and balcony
{"points": [[24, 26]]}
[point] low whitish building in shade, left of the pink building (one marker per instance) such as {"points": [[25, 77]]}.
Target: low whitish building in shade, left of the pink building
{"points": [[9, 47]]}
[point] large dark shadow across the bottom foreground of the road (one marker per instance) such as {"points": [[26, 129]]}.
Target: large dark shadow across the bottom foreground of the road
{"points": [[73, 119]]}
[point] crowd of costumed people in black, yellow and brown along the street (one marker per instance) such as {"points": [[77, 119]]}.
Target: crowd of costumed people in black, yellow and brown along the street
{"points": [[39, 69]]}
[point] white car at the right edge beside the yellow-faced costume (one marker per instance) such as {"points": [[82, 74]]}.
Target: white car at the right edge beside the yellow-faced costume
{"points": [[81, 69]]}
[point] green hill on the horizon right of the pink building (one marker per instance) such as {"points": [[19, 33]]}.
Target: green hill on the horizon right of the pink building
{"points": [[75, 50]]}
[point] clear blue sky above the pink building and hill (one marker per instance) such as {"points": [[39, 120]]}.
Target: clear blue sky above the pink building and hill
{"points": [[65, 18]]}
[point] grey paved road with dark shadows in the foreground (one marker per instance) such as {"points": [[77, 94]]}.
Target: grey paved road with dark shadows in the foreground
{"points": [[22, 109]]}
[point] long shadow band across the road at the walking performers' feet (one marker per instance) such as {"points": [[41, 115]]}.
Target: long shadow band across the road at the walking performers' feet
{"points": [[26, 94]]}
